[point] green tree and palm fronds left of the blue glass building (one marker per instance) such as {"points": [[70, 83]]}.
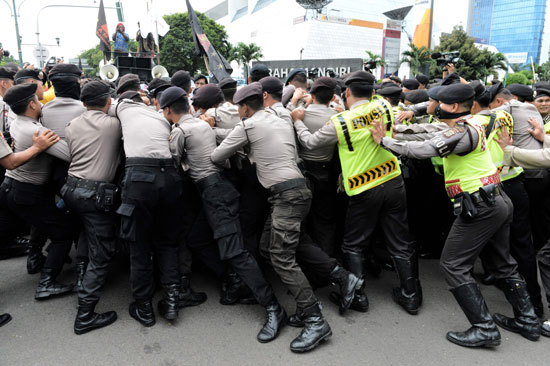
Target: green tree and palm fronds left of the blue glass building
{"points": [[474, 63]]}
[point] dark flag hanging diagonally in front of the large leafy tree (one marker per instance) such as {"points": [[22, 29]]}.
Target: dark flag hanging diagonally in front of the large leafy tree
{"points": [[218, 66]]}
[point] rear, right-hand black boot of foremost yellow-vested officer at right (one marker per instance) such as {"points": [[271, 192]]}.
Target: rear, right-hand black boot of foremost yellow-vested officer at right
{"points": [[525, 321]]}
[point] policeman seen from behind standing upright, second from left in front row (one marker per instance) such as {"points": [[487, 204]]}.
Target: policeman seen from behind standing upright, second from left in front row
{"points": [[95, 145]]}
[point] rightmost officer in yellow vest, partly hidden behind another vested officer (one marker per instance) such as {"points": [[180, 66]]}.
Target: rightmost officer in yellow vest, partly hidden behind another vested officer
{"points": [[521, 244]]}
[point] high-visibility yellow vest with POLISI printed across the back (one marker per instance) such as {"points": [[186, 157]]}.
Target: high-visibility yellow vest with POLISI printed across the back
{"points": [[365, 164]]}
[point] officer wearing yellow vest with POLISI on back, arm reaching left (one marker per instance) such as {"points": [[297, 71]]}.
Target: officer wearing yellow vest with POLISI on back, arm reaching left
{"points": [[372, 179]]}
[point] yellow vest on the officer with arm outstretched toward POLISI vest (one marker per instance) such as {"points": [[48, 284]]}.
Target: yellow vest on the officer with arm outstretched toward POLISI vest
{"points": [[467, 173]]}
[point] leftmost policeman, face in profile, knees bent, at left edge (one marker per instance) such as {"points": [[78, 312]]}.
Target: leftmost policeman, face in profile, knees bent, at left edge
{"points": [[28, 191]]}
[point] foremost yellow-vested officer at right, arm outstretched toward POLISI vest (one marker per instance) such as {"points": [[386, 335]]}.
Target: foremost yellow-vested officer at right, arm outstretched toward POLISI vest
{"points": [[484, 213]]}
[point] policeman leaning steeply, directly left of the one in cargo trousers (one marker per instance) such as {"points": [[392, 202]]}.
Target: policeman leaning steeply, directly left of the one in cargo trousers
{"points": [[193, 141]]}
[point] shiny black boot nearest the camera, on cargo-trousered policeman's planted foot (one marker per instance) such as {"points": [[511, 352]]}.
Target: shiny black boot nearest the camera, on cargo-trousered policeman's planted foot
{"points": [[316, 330]]}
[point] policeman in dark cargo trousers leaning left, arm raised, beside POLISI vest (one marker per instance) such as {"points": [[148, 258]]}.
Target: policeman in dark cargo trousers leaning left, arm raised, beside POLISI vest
{"points": [[273, 148]]}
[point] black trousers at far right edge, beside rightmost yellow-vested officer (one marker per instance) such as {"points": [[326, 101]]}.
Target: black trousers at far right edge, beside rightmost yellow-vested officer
{"points": [[538, 190]]}
